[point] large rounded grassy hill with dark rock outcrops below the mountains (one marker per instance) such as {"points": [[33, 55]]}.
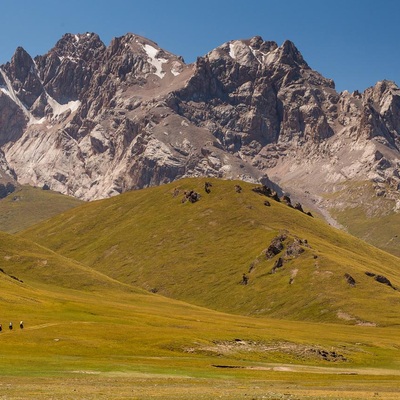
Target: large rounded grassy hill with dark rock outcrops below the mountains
{"points": [[198, 253]]}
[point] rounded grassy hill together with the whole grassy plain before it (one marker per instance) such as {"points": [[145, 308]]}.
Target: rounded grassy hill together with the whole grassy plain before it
{"points": [[94, 329]]}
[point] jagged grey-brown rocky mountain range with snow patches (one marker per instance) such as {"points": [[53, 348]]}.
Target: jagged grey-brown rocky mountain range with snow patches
{"points": [[93, 121]]}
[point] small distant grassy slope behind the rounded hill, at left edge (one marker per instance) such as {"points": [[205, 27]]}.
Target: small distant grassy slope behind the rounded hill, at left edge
{"points": [[28, 206]]}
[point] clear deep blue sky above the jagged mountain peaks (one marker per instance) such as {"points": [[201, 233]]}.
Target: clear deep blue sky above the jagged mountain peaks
{"points": [[354, 42]]}
